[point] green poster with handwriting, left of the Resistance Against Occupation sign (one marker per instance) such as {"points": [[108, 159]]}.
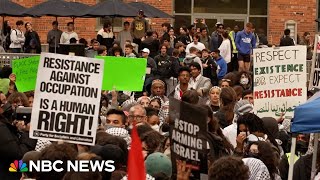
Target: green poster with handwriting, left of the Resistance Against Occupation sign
{"points": [[26, 73]]}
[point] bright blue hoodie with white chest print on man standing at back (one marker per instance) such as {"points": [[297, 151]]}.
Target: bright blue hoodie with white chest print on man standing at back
{"points": [[245, 42]]}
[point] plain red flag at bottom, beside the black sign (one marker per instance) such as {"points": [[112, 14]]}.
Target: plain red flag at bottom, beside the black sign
{"points": [[136, 169]]}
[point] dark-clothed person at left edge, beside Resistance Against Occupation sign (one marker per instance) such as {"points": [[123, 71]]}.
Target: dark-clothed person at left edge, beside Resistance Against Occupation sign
{"points": [[14, 142]]}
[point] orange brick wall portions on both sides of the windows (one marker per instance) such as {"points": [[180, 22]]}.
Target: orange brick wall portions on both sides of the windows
{"points": [[280, 11]]}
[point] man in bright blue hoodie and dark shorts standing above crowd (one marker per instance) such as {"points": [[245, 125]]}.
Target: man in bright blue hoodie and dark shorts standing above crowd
{"points": [[245, 42]]}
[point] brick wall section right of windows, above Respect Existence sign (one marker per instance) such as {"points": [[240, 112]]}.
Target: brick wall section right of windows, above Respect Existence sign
{"points": [[281, 11]]}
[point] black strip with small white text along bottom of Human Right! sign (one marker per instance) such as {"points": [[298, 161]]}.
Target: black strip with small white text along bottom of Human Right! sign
{"points": [[59, 136]]}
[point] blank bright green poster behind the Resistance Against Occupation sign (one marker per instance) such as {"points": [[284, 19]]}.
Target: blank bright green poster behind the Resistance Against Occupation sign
{"points": [[123, 74]]}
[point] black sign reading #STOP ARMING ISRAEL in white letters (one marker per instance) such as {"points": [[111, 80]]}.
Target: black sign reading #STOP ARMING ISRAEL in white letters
{"points": [[188, 140]]}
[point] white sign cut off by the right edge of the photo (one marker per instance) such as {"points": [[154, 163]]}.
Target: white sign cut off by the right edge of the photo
{"points": [[315, 68]]}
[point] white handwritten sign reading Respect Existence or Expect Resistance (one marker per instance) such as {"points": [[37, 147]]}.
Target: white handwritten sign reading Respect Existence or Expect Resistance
{"points": [[280, 78]]}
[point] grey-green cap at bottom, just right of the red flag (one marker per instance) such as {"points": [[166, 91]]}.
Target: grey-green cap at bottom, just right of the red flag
{"points": [[158, 163]]}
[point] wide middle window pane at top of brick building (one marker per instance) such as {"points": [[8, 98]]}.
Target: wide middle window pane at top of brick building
{"points": [[221, 6]]}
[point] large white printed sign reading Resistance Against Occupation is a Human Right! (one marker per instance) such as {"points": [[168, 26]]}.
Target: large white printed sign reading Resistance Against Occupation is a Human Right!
{"points": [[67, 99]]}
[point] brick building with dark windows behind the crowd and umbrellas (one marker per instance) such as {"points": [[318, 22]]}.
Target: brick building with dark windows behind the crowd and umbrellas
{"points": [[269, 16]]}
